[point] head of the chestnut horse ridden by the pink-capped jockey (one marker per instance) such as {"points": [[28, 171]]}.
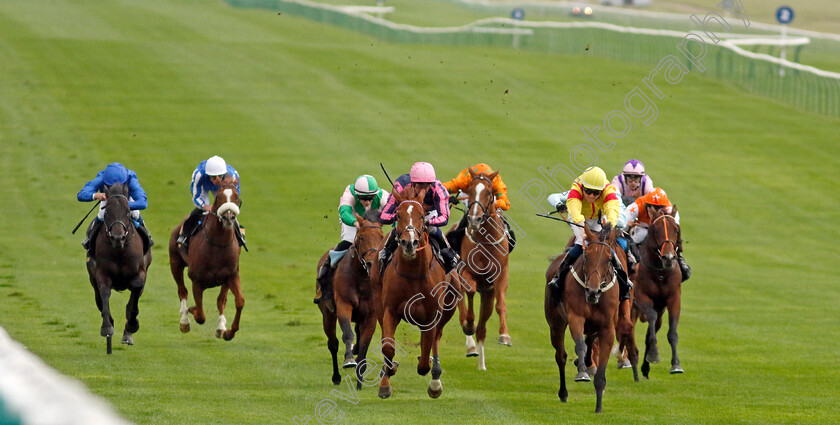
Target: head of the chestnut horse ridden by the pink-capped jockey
{"points": [[411, 221]]}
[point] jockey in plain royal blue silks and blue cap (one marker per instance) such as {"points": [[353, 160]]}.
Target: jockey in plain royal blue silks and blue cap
{"points": [[95, 190]]}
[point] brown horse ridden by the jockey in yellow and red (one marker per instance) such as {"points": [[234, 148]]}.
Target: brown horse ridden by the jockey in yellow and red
{"points": [[588, 305]]}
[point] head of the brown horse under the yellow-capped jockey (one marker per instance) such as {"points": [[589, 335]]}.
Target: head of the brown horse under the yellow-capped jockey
{"points": [[599, 275]]}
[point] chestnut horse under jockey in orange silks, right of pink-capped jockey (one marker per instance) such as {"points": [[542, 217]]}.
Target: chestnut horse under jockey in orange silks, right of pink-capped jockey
{"points": [[484, 251]]}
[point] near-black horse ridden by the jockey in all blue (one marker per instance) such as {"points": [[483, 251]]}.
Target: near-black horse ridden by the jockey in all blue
{"points": [[118, 262]]}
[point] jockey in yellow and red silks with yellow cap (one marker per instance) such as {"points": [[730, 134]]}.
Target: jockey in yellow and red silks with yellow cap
{"points": [[589, 194]]}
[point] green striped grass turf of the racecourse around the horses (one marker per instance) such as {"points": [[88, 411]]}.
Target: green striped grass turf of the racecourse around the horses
{"points": [[301, 109]]}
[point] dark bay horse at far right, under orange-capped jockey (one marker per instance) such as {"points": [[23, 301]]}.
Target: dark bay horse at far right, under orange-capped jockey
{"points": [[659, 285]]}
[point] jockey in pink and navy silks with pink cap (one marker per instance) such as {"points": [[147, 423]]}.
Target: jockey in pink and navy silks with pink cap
{"points": [[422, 176]]}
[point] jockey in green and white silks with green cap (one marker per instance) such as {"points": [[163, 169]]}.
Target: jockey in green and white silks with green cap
{"points": [[359, 198]]}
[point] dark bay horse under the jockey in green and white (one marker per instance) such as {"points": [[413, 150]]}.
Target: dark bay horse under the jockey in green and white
{"points": [[353, 297]]}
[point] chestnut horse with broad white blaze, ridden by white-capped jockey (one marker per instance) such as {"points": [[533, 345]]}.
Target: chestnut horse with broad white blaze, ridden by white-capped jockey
{"points": [[212, 259]]}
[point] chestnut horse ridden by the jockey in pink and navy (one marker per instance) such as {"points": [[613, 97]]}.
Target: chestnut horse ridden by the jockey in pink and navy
{"points": [[415, 288]]}
